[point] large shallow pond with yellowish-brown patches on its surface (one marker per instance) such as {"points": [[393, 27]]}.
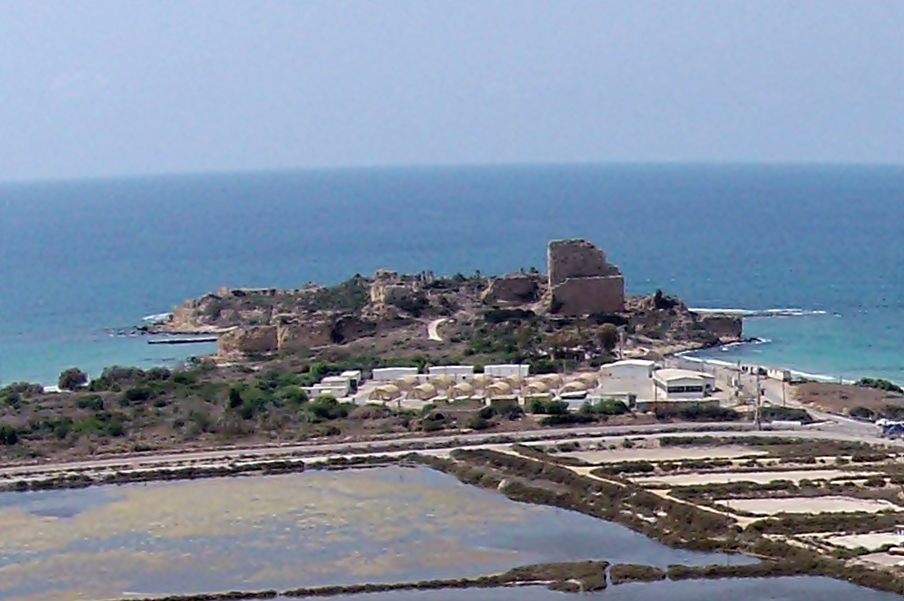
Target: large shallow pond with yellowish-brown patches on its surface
{"points": [[312, 529]]}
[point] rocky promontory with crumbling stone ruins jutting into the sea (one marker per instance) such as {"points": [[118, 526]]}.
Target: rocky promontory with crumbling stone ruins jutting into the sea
{"points": [[581, 292]]}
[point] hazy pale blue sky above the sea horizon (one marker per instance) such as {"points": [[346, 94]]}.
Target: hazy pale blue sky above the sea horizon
{"points": [[124, 87]]}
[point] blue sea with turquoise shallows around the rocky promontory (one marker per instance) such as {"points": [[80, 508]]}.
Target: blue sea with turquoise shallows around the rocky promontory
{"points": [[78, 259]]}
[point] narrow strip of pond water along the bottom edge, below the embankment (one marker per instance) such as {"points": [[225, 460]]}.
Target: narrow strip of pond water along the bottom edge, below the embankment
{"points": [[755, 589]]}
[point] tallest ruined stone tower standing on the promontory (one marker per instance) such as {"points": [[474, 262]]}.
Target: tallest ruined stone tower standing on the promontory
{"points": [[581, 281]]}
